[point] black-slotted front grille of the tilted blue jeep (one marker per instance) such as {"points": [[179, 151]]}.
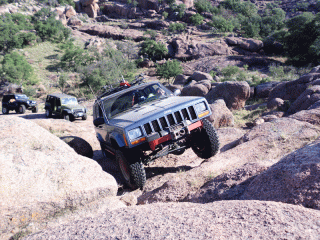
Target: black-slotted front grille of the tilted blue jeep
{"points": [[170, 120]]}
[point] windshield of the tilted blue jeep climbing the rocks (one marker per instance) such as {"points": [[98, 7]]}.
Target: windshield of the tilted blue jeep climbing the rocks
{"points": [[136, 97]]}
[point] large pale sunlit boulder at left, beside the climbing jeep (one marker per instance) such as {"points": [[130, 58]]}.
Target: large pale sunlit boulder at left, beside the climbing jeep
{"points": [[41, 175]]}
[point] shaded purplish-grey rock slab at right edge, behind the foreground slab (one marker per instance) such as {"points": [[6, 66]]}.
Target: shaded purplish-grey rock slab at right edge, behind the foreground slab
{"points": [[294, 179]]}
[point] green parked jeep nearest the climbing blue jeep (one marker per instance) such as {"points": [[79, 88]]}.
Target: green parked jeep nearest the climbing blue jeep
{"points": [[64, 106]]}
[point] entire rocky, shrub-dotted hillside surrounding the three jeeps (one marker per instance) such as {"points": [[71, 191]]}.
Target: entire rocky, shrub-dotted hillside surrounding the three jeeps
{"points": [[245, 57]]}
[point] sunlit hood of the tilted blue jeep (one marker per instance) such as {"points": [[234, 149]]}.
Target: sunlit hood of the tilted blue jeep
{"points": [[148, 112]]}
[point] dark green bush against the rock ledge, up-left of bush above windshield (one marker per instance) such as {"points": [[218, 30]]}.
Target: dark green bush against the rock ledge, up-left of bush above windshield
{"points": [[153, 50]]}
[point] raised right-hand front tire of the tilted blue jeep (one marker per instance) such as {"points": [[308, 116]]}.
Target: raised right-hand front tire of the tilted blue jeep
{"points": [[205, 143]]}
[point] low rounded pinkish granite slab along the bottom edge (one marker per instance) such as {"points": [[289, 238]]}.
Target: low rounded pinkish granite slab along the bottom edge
{"points": [[218, 220]]}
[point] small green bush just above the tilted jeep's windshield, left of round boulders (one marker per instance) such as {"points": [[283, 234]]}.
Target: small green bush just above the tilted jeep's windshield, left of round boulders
{"points": [[169, 69]]}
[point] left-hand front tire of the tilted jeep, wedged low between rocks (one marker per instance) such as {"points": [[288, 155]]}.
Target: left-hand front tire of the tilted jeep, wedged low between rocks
{"points": [[132, 171]]}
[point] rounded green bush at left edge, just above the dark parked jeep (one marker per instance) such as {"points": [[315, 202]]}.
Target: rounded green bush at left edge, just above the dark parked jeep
{"points": [[16, 69]]}
